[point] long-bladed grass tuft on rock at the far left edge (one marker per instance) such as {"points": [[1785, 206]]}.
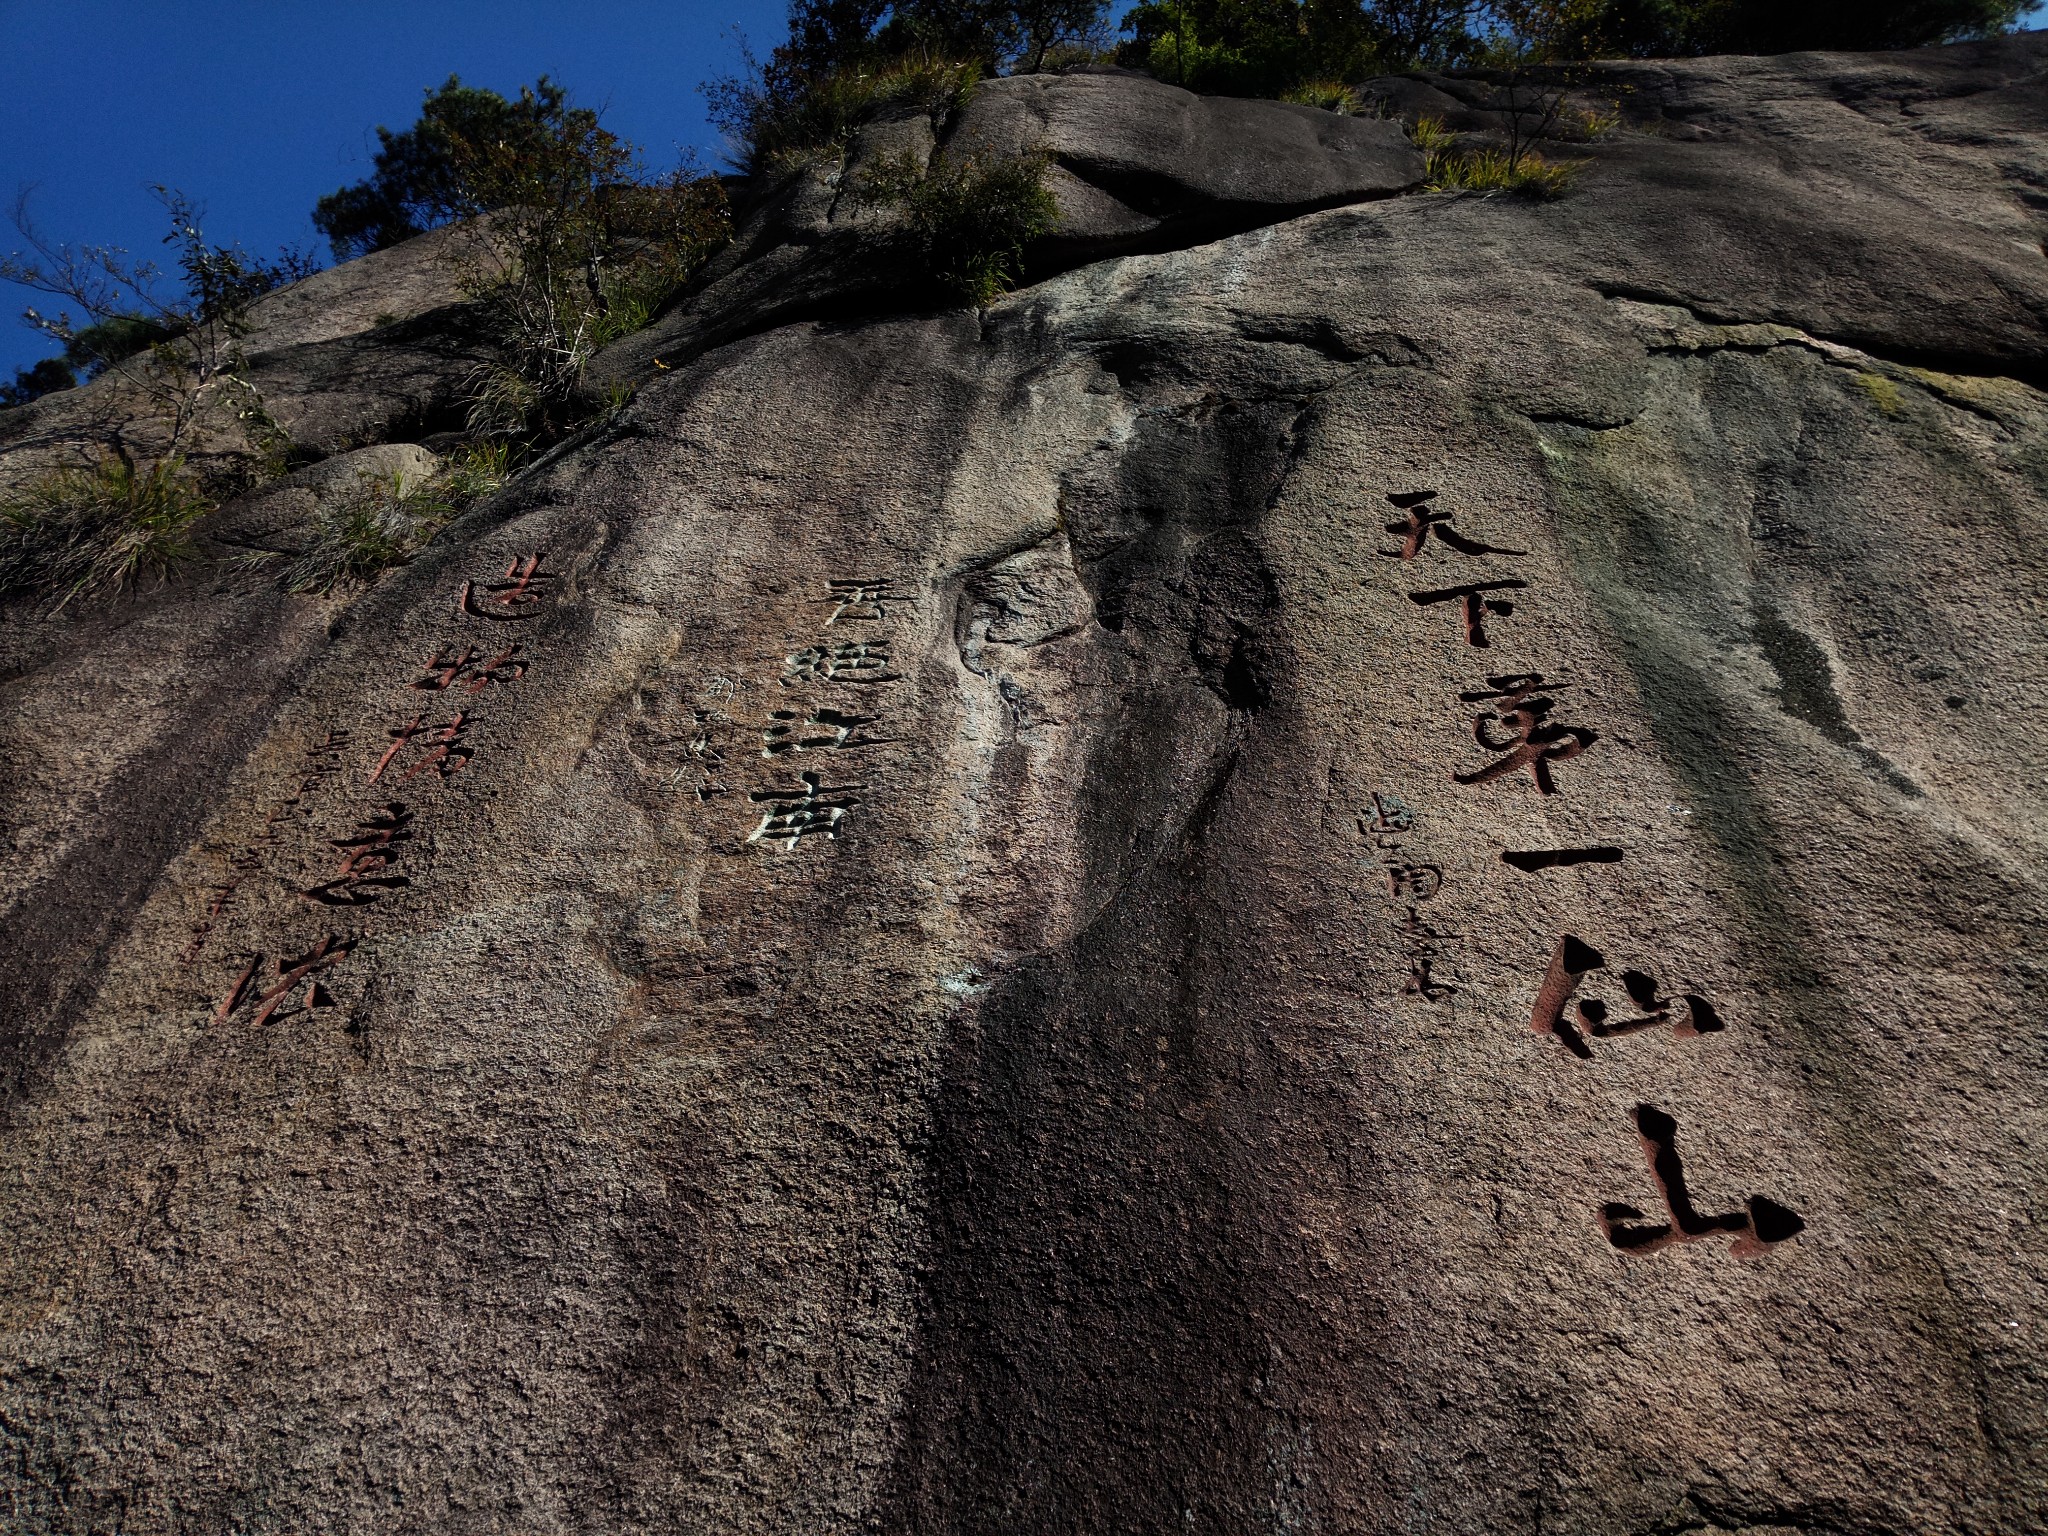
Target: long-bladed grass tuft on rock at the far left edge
{"points": [[99, 531]]}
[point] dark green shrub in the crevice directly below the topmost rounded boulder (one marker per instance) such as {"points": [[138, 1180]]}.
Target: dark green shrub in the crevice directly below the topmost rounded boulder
{"points": [[968, 222]]}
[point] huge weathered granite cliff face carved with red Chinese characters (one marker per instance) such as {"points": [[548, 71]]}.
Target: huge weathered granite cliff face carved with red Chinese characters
{"points": [[904, 941]]}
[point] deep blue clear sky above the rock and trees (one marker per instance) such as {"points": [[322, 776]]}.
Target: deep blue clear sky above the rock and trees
{"points": [[257, 108]]}
